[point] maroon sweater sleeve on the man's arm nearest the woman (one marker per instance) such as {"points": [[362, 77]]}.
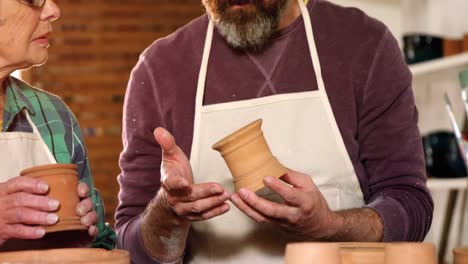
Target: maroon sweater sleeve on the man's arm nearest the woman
{"points": [[140, 160]]}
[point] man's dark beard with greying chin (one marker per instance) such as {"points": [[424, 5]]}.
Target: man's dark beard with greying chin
{"points": [[247, 28]]}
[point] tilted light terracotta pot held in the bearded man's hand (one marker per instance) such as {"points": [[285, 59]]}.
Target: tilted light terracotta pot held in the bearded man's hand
{"points": [[249, 157]]}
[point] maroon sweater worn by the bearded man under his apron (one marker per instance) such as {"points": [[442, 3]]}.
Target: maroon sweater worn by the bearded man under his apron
{"points": [[369, 88]]}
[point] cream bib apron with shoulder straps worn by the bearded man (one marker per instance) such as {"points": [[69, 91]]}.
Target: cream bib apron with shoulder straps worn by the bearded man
{"points": [[302, 133]]}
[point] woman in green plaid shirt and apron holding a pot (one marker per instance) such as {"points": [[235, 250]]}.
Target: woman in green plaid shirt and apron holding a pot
{"points": [[50, 128]]}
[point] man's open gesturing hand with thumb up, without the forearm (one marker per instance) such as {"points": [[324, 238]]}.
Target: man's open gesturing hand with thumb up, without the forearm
{"points": [[189, 201]]}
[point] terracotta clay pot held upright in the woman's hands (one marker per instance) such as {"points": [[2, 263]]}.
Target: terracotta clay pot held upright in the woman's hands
{"points": [[63, 181]]}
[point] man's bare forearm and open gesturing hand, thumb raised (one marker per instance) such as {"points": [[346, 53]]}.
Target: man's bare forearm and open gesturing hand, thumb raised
{"points": [[166, 220]]}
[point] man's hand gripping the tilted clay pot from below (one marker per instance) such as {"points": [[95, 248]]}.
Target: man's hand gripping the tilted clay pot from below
{"points": [[304, 213]]}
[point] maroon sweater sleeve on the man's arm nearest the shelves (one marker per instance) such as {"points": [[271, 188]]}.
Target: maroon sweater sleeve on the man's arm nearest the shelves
{"points": [[391, 147]]}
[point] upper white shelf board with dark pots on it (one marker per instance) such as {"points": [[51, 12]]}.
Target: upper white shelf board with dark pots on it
{"points": [[431, 66]]}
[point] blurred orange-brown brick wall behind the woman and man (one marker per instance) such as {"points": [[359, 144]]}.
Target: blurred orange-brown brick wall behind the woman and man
{"points": [[95, 45]]}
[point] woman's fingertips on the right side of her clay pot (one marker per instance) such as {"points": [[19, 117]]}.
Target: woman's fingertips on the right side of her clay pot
{"points": [[85, 210]]}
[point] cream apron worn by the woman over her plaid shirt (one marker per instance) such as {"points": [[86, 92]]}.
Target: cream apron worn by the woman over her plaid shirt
{"points": [[21, 150]]}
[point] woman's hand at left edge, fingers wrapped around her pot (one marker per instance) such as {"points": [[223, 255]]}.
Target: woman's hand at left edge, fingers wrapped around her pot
{"points": [[22, 204]]}
